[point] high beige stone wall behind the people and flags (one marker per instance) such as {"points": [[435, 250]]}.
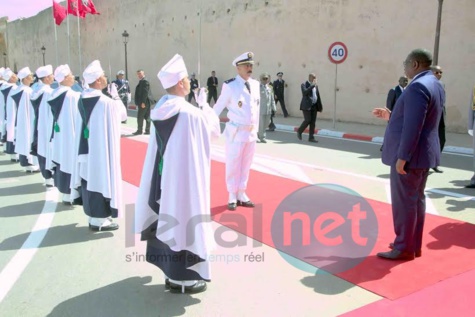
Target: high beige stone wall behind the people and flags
{"points": [[292, 36]]}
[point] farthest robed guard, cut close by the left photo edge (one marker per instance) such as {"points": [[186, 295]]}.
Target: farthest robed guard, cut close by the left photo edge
{"points": [[10, 112]]}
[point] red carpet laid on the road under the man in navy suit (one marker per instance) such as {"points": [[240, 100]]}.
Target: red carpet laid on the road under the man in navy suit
{"points": [[449, 245]]}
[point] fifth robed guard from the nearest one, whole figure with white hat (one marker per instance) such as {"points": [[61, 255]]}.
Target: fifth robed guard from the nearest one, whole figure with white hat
{"points": [[25, 119]]}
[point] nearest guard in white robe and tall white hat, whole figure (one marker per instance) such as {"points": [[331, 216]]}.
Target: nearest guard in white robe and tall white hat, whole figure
{"points": [[175, 184]]}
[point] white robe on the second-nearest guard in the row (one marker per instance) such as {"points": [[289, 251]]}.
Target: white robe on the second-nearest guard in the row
{"points": [[101, 166]]}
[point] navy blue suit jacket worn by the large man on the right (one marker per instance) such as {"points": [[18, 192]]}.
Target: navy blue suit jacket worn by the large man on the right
{"points": [[412, 132]]}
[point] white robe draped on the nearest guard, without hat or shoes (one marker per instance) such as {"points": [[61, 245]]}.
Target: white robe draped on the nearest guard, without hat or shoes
{"points": [[185, 183]]}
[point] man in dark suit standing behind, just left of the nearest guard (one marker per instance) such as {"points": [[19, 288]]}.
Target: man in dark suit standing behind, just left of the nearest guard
{"points": [[143, 99]]}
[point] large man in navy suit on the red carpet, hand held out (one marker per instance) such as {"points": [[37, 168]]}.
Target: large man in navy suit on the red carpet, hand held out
{"points": [[411, 148]]}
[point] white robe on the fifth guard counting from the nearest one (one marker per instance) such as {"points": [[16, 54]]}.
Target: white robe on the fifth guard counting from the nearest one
{"points": [[25, 121]]}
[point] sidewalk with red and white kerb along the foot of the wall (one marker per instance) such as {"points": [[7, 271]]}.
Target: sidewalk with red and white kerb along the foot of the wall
{"points": [[456, 142]]}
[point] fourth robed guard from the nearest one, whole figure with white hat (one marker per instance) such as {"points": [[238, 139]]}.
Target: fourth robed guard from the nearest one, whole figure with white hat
{"points": [[41, 145]]}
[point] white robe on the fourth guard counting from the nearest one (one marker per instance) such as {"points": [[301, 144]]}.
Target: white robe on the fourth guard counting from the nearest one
{"points": [[45, 120]]}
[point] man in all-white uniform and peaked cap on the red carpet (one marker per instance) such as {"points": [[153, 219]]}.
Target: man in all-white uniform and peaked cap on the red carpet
{"points": [[241, 96]]}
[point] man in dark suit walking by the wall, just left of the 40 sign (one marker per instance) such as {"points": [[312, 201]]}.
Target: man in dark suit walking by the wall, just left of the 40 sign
{"points": [[311, 104]]}
